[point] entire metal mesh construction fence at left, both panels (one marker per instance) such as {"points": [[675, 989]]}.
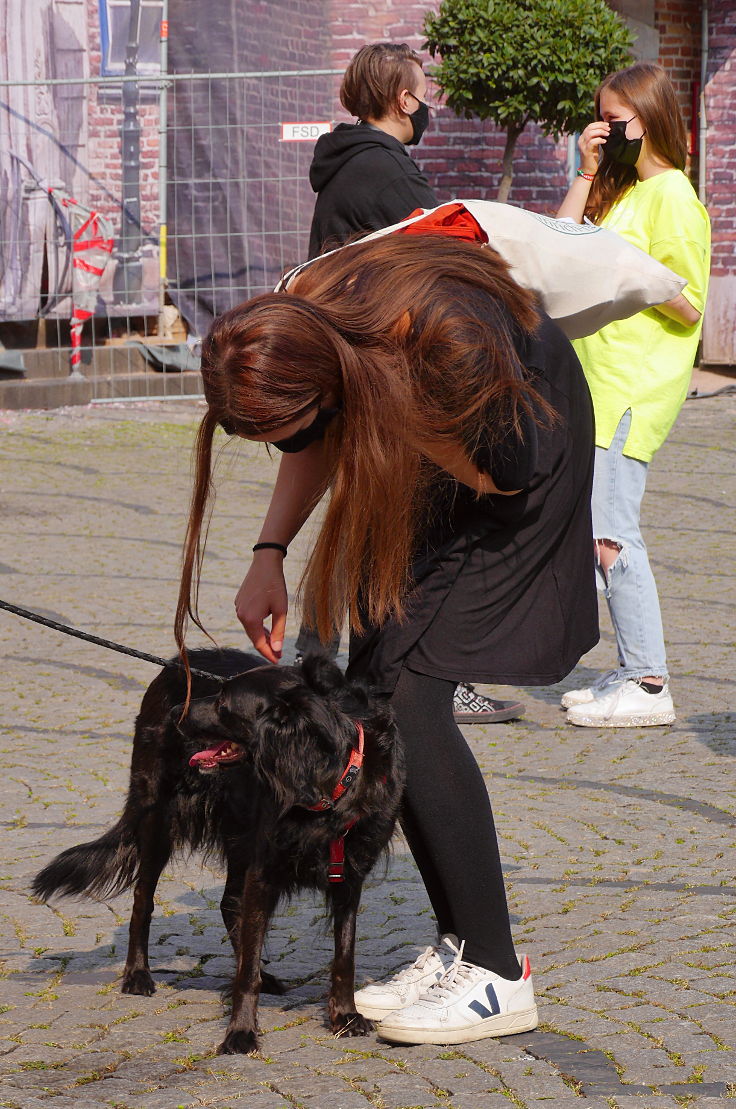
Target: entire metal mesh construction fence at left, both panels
{"points": [[131, 217]]}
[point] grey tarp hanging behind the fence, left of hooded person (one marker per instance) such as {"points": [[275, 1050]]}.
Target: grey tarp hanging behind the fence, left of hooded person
{"points": [[240, 204]]}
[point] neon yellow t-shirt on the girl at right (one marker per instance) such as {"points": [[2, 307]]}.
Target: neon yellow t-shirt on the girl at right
{"points": [[645, 363]]}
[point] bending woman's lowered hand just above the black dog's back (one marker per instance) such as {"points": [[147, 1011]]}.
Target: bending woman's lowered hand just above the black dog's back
{"points": [[263, 595]]}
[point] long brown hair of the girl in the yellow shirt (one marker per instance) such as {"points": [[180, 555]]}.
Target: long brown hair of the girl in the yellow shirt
{"points": [[651, 95]]}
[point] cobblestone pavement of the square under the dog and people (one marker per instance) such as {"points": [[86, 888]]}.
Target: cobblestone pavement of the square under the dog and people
{"points": [[618, 847]]}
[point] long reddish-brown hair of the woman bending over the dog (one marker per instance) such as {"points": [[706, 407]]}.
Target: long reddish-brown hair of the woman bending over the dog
{"points": [[382, 328]]}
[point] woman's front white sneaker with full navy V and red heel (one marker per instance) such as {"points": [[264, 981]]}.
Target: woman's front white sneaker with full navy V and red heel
{"points": [[467, 1004]]}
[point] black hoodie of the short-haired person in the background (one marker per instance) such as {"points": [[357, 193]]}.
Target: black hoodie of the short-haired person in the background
{"points": [[364, 180]]}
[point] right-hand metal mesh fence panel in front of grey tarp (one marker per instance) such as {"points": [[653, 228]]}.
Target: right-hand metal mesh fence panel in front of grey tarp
{"points": [[249, 216]]}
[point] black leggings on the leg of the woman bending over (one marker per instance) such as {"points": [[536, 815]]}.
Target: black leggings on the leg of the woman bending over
{"points": [[449, 825]]}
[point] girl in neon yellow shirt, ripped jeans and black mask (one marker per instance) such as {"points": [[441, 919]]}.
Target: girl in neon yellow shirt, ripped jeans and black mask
{"points": [[631, 180]]}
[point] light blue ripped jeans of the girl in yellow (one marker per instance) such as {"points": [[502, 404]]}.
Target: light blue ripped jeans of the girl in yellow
{"points": [[630, 588]]}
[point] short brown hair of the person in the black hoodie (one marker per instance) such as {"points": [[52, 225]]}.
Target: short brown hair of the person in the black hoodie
{"points": [[375, 78]]}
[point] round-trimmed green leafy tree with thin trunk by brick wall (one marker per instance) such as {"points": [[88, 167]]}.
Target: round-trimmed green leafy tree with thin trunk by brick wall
{"points": [[520, 62]]}
